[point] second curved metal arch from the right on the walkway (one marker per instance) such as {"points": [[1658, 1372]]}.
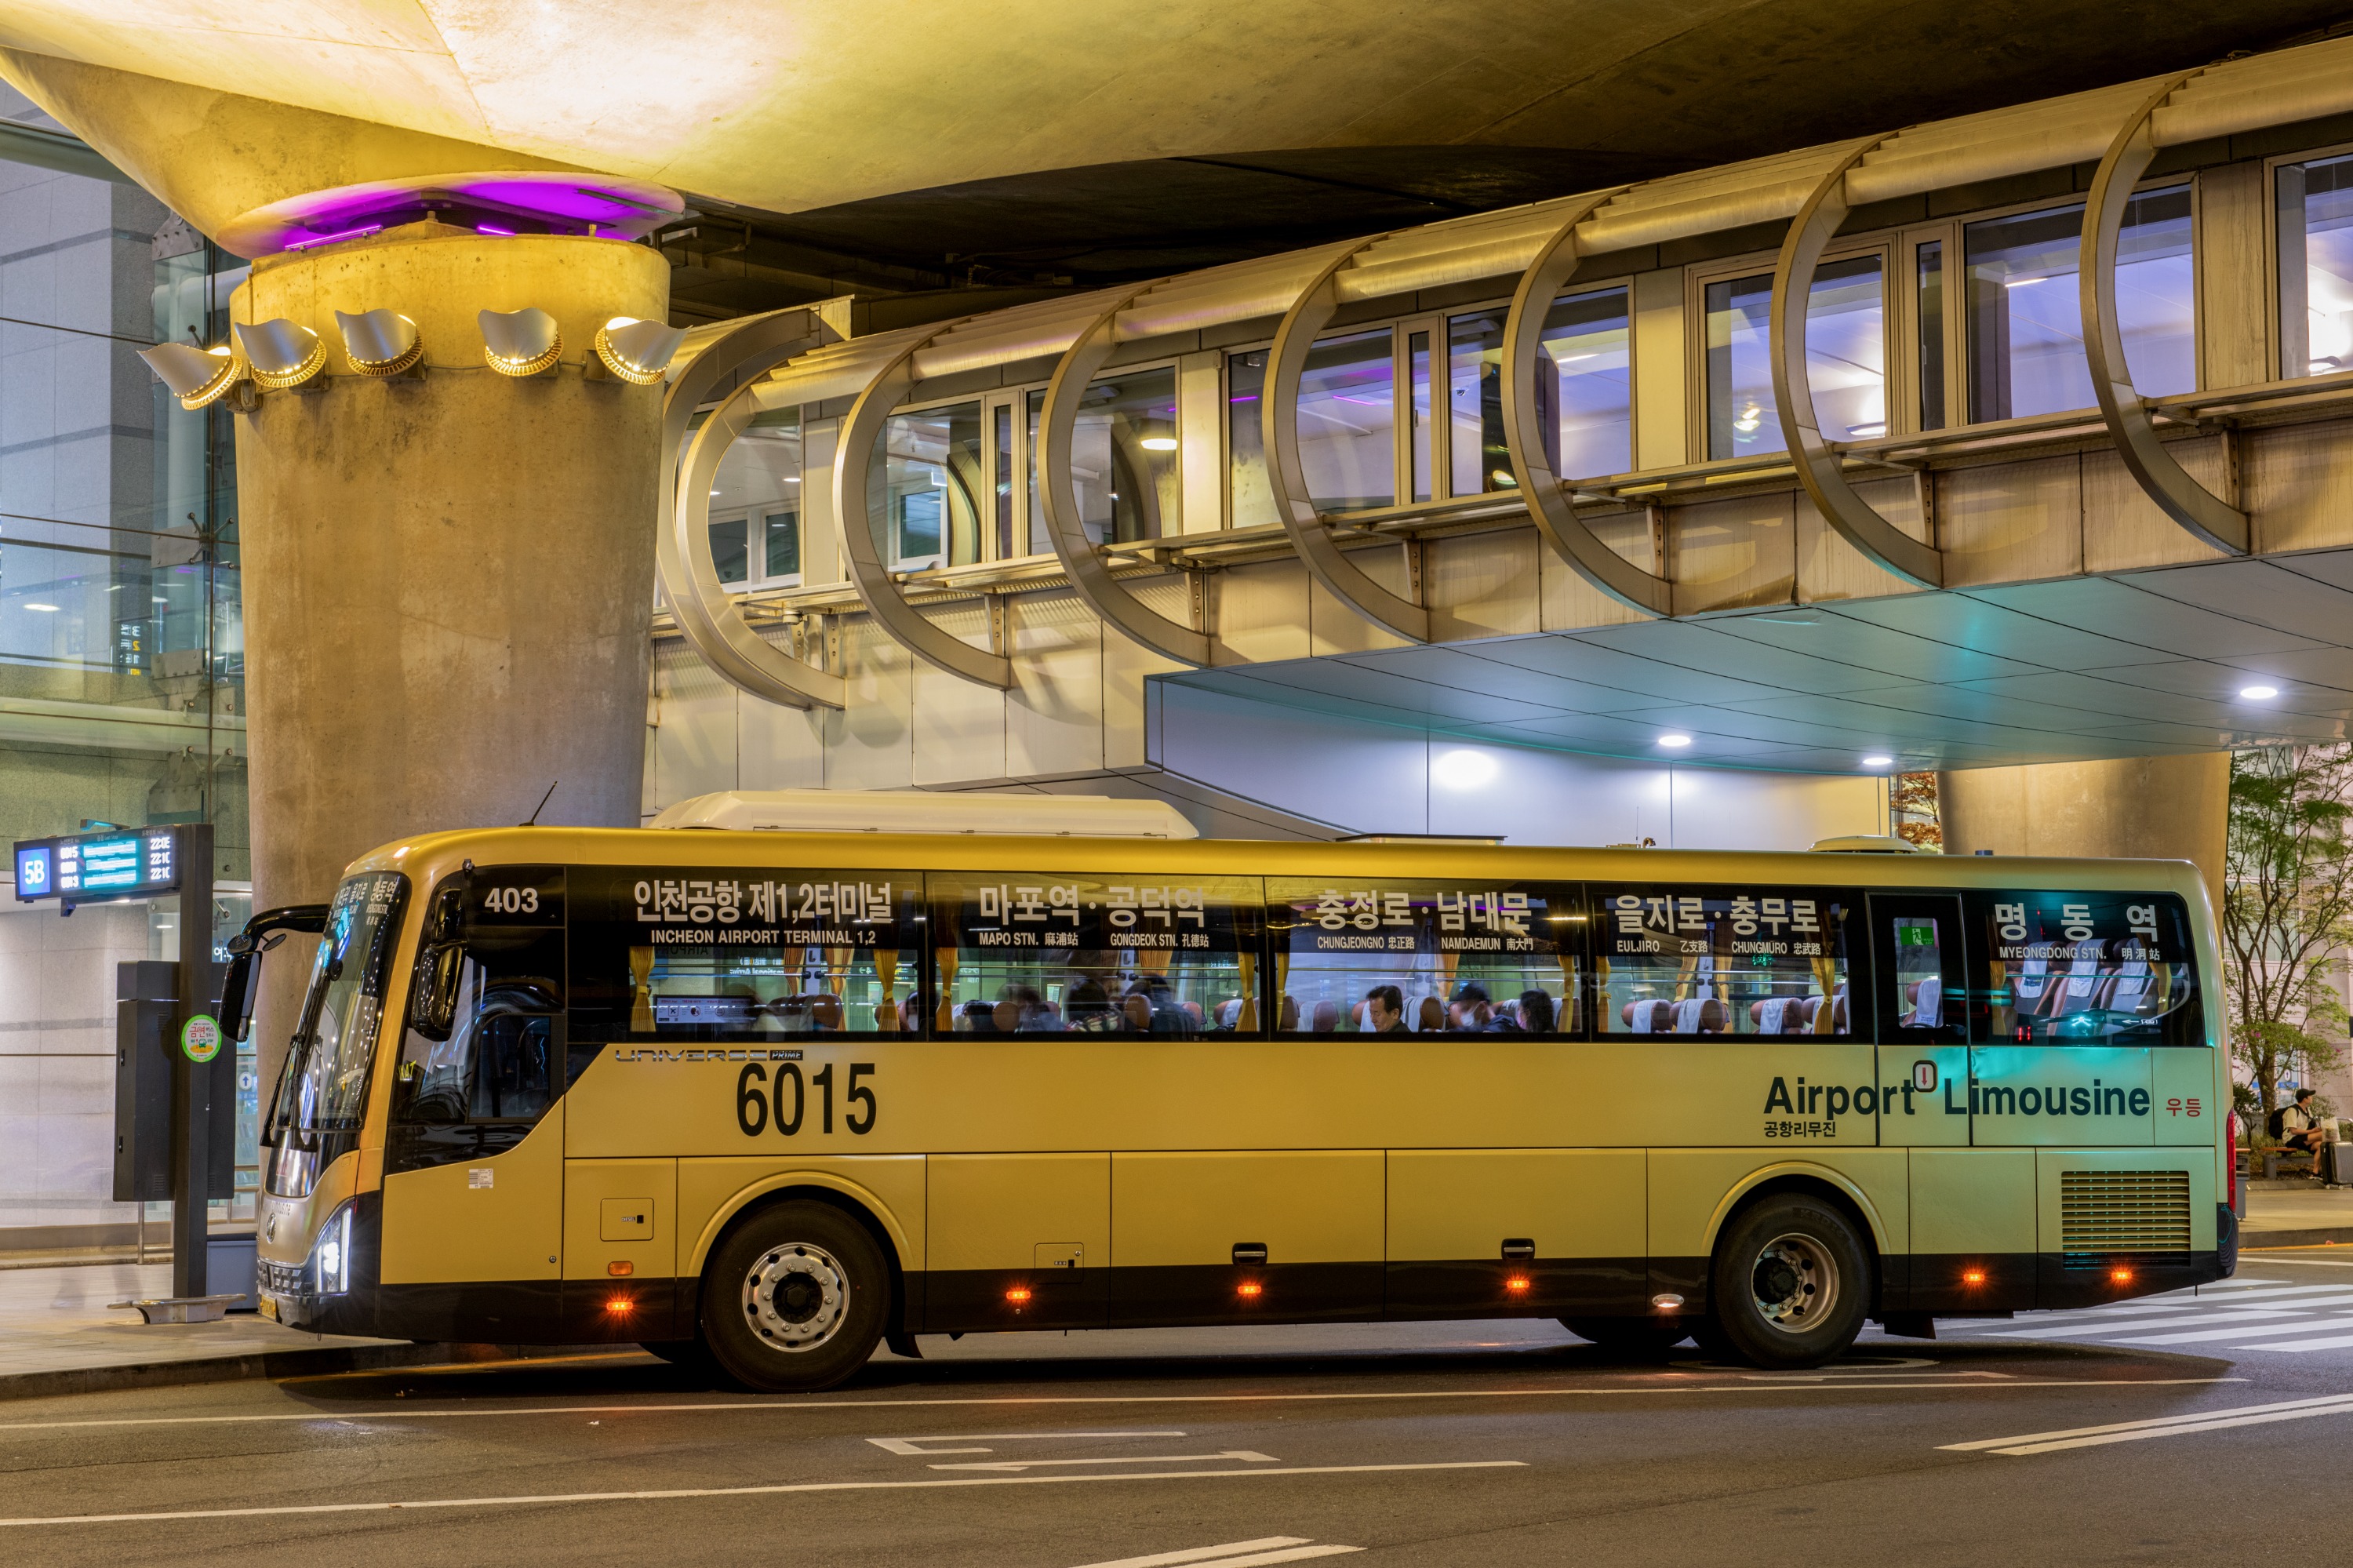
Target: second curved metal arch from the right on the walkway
{"points": [[1820, 470]]}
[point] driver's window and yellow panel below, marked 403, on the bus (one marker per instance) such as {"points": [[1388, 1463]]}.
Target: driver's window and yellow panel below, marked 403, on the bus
{"points": [[474, 1148]]}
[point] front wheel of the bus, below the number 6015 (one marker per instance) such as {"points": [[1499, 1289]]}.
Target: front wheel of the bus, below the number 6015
{"points": [[794, 1301]]}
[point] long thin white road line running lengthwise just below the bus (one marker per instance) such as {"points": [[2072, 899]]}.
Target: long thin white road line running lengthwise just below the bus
{"points": [[1119, 1400]]}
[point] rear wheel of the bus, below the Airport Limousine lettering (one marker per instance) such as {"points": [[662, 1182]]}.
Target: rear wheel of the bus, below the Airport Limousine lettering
{"points": [[1792, 1284]]}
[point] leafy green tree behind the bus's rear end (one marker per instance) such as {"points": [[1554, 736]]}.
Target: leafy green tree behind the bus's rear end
{"points": [[2288, 910]]}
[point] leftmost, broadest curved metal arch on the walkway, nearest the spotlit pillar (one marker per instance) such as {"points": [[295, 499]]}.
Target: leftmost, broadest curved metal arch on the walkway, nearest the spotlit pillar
{"points": [[709, 618]]}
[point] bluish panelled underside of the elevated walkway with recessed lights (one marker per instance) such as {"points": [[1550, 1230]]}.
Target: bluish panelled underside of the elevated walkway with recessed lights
{"points": [[2088, 667]]}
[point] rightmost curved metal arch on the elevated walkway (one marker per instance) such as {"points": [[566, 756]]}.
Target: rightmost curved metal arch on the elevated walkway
{"points": [[2121, 404]]}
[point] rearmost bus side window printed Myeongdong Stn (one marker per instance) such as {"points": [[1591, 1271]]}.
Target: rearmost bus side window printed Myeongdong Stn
{"points": [[2102, 969]]}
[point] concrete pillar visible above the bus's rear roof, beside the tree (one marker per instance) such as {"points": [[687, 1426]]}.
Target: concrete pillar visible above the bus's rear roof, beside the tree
{"points": [[2142, 809]]}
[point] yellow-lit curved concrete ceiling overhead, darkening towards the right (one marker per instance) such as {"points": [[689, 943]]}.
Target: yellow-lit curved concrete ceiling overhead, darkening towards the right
{"points": [[1022, 142]]}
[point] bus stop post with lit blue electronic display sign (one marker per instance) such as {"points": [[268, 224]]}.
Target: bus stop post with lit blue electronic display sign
{"points": [[149, 863]]}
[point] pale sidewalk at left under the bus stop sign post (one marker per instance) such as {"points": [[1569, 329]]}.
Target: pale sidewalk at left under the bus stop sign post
{"points": [[58, 1336]]}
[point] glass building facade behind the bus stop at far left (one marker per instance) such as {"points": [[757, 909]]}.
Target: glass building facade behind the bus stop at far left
{"points": [[121, 642]]}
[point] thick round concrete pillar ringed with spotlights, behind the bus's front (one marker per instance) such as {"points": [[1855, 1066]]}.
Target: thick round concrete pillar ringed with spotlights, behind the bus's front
{"points": [[451, 578]]}
